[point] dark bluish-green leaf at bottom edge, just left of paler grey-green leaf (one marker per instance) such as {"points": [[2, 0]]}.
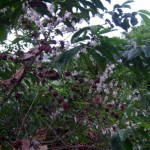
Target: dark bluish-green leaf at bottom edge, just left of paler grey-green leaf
{"points": [[116, 143]]}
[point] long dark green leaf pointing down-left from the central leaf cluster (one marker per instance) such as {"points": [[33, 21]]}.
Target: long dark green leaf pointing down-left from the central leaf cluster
{"points": [[65, 57]]}
